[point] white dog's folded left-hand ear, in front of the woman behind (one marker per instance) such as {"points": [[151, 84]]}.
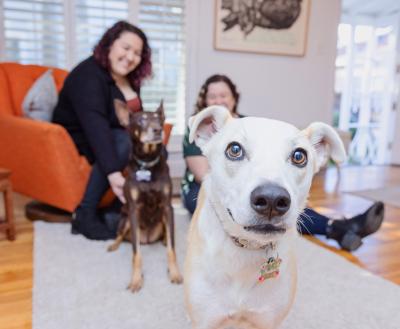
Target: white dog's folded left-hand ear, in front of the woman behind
{"points": [[206, 123]]}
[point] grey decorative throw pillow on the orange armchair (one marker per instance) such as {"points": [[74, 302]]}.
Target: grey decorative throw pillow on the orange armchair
{"points": [[41, 98]]}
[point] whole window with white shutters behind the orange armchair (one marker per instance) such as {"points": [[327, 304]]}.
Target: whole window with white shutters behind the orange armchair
{"points": [[61, 33]]}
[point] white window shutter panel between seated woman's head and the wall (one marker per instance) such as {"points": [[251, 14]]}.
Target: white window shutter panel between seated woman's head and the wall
{"points": [[164, 24]]}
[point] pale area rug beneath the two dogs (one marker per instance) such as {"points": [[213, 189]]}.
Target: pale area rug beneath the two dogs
{"points": [[78, 284]]}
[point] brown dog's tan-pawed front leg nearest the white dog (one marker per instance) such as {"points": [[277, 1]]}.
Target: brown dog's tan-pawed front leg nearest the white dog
{"points": [[173, 270]]}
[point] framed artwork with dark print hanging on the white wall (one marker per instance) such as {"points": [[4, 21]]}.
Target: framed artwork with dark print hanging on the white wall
{"points": [[262, 26]]}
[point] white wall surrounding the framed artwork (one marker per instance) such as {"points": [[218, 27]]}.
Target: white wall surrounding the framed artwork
{"points": [[295, 89]]}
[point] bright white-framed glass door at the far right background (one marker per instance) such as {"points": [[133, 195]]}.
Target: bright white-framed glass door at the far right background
{"points": [[365, 88]]}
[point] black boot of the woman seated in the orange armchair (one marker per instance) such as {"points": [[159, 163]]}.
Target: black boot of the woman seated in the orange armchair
{"points": [[86, 222]]}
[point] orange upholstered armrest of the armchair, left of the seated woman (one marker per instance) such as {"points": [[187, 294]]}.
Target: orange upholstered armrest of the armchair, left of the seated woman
{"points": [[43, 160]]}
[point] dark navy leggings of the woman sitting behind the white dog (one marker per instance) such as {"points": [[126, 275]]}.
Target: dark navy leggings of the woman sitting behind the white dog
{"points": [[311, 221]]}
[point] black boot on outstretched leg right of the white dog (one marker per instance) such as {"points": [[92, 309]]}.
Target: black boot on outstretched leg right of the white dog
{"points": [[349, 232]]}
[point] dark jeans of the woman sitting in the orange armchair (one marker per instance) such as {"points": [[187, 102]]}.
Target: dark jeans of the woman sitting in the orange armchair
{"points": [[98, 182]]}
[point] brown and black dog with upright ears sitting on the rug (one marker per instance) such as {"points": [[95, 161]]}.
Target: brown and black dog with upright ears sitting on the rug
{"points": [[147, 215]]}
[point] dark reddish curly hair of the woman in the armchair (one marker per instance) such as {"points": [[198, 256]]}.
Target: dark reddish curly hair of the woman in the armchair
{"points": [[102, 49]]}
